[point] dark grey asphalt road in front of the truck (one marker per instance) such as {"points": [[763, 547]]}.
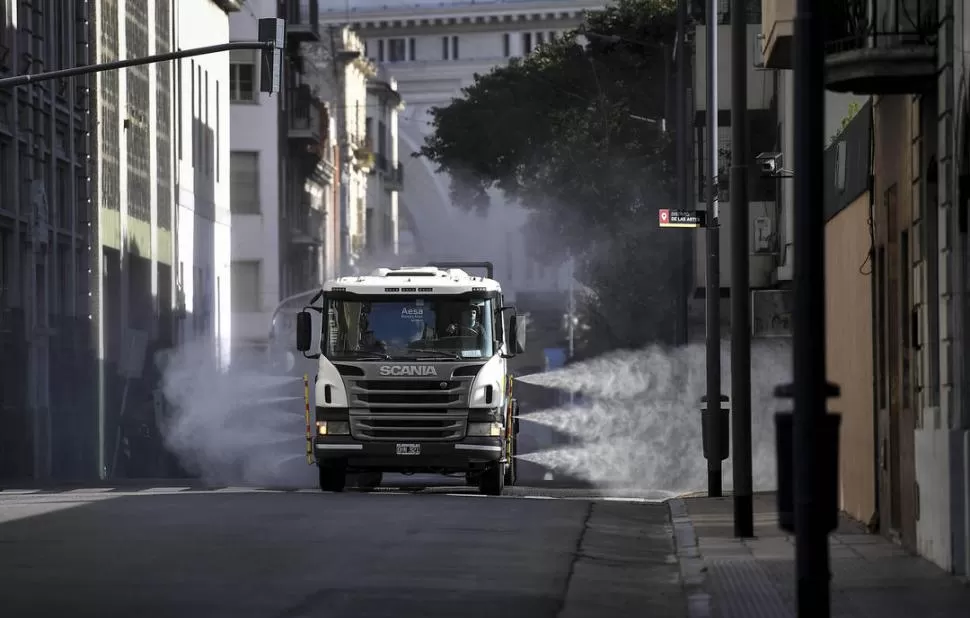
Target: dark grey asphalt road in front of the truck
{"points": [[183, 552]]}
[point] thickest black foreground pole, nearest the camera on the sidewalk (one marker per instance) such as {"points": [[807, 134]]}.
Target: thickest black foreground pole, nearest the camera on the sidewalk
{"points": [[815, 432]]}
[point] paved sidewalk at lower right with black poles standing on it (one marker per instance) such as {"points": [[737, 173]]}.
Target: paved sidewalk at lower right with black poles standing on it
{"points": [[733, 578]]}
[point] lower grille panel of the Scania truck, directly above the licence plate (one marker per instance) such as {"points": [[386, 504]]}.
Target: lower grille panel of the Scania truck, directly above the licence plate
{"points": [[408, 427]]}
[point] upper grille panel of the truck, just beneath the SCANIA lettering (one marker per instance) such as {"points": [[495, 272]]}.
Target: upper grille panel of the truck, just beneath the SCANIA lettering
{"points": [[405, 393]]}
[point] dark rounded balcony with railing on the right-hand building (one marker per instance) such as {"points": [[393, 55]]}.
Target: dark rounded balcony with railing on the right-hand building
{"points": [[876, 47]]}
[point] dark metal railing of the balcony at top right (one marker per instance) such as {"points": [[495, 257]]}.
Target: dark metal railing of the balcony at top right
{"points": [[868, 24]]}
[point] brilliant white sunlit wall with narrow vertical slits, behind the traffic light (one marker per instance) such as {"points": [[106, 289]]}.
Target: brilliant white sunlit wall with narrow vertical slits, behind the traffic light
{"points": [[203, 240]]}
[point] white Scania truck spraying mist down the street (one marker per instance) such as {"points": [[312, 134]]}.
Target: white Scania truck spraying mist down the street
{"points": [[413, 376]]}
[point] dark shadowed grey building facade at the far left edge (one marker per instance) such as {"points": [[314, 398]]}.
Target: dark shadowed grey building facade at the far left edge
{"points": [[48, 232]]}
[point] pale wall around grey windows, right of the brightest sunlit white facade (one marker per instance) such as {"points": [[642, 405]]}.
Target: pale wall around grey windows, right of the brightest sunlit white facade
{"points": [[254, 127]]}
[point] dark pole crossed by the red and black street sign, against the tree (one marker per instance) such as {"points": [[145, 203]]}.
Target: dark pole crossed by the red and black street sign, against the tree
{"points": [[683, 192]]}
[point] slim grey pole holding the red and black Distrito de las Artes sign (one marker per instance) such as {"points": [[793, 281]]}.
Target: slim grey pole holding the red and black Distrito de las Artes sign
{"points": [[713, 278]]}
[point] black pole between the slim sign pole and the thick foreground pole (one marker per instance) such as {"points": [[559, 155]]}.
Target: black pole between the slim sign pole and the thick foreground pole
{"points": [[740, 294]]}
